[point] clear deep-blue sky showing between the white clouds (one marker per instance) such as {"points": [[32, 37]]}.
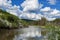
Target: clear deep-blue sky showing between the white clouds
{"points": [[44, 2]]}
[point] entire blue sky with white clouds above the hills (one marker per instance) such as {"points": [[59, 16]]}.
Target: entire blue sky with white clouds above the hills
{"points": [[32, 9]]}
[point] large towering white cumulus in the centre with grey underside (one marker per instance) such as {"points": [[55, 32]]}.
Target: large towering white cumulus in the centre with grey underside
{"points": [[28, 6]]}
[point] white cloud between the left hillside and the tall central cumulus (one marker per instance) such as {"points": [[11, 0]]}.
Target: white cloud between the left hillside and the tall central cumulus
{"points": [[14, 10]]}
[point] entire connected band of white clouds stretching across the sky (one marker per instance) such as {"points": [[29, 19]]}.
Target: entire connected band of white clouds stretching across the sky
{"points": [[30, 10]]}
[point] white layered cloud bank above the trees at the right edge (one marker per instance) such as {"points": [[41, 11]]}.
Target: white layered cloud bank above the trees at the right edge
{"points": [[50, 14]]}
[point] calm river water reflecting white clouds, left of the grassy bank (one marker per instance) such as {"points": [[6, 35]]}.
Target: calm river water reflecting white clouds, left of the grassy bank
{"points": [[30, 33]]}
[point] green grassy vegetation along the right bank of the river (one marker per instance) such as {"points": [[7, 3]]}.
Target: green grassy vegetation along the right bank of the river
{"points": [[53, 30]]}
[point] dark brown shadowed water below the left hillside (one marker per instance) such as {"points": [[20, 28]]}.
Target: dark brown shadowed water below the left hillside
{"points": [[6, 34]]}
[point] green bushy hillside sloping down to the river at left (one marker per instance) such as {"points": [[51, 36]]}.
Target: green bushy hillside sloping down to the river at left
{"points": [[8, 20]]}
